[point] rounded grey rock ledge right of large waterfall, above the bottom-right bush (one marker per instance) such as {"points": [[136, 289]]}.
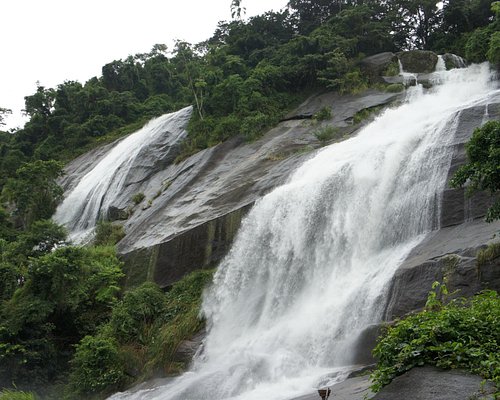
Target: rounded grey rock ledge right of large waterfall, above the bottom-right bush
{"points": [[447, 255]]}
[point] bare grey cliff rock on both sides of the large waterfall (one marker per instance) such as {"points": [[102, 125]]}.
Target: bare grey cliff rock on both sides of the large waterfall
{"points": [[191, 211]]}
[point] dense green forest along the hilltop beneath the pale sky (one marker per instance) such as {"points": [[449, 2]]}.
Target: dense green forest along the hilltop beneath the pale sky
{"points": [[242, 79]]}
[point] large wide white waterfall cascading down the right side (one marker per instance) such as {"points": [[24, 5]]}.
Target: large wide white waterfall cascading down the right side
{"points": [[311, 264]]}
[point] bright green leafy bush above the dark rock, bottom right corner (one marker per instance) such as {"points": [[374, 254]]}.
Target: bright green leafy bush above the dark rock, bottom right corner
{"points": [[464, 333]]}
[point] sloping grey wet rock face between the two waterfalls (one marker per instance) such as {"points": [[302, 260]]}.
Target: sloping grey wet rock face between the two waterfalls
{"points": [[191, 210]]}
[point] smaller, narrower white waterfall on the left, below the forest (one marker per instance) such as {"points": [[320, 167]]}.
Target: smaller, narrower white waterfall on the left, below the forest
{"points": [[99, 188]]}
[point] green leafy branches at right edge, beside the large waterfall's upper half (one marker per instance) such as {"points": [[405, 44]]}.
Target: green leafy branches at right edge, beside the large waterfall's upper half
{"points": [[482, 171]]}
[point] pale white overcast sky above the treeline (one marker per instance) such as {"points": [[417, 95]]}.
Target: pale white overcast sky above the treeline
{"points": [[51, 41]]}
